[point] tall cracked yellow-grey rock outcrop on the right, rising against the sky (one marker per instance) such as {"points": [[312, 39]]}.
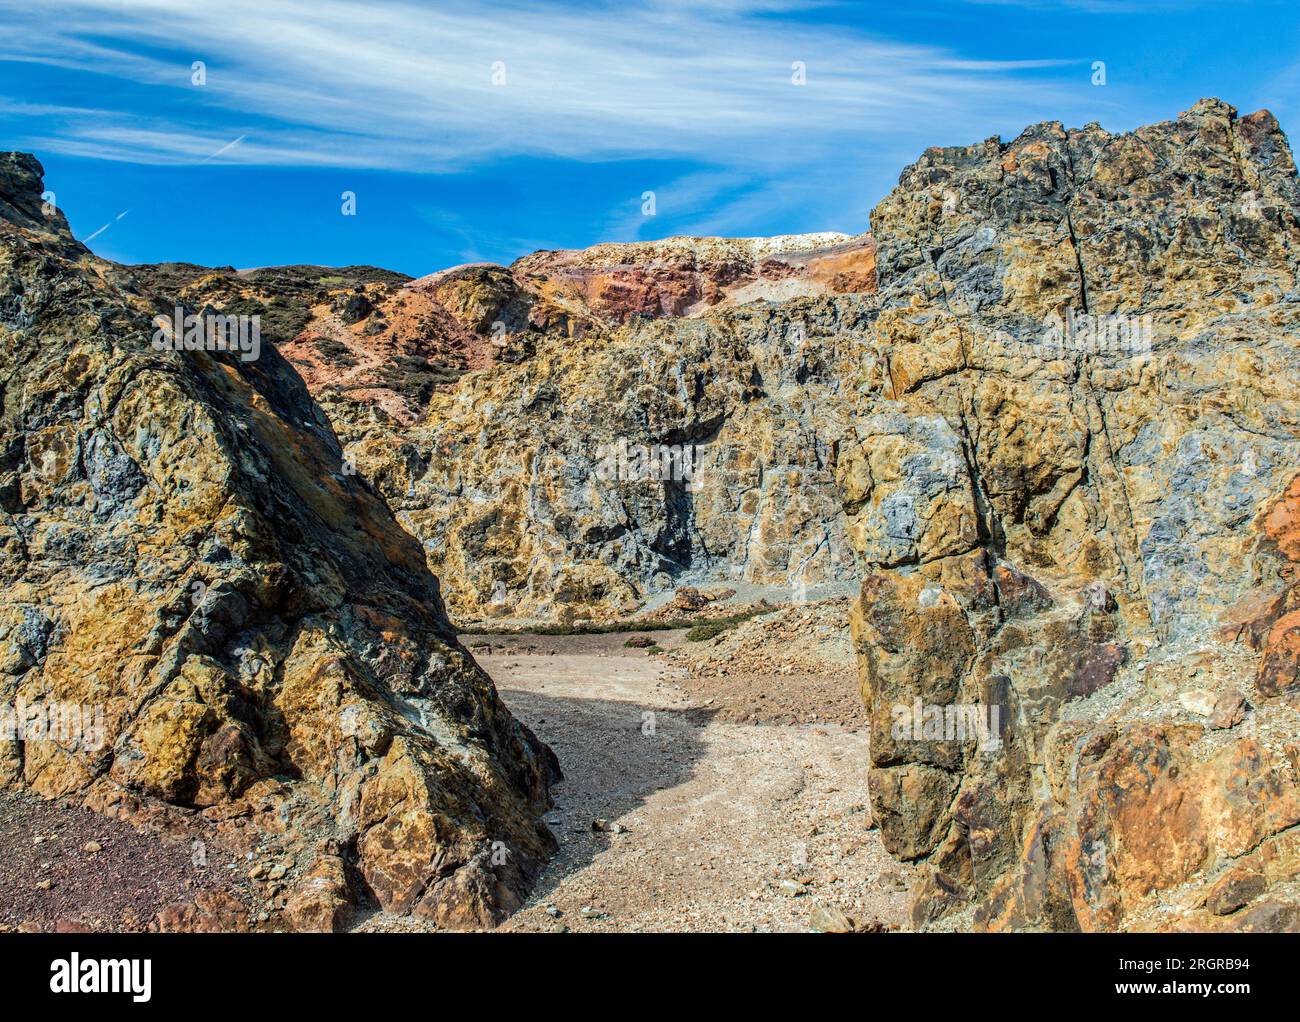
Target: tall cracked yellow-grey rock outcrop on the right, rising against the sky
{"points": [[1085, 539]]}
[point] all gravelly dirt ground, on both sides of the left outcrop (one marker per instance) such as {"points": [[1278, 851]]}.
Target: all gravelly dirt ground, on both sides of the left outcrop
{"points": [[729, 798]]}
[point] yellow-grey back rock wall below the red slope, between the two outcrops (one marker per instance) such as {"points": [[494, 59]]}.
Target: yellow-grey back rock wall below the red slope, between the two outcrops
{"points": [[630, 462]]}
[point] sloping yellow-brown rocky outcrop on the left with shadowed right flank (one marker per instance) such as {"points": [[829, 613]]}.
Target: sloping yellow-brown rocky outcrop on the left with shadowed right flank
{"points": [[189, 566]]}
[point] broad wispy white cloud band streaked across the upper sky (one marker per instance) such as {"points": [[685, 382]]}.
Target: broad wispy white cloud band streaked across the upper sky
{"points": [[401, 86]]}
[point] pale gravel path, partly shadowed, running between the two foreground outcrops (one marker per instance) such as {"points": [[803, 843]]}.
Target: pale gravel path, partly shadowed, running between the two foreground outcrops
{"points": [[708, 821]]}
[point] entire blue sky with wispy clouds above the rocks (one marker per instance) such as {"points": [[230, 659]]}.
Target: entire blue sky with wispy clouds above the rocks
{"points": [[593, 105]]}
